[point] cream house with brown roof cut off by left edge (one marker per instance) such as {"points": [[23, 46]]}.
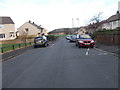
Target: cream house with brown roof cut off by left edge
{"points": [[7, 29]]}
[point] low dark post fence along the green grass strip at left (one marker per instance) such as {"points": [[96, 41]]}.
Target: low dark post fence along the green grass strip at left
{"points": [[14, 46]]}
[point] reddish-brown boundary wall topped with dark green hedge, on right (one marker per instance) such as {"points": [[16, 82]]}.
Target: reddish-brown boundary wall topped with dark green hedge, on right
{"points": [[108, 37]]}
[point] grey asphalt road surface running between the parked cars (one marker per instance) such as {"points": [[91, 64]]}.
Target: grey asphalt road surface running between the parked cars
{"points": [[61, 65]]}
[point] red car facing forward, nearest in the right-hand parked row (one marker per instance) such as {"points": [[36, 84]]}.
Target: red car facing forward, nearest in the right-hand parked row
{"points": [[85, 41]]}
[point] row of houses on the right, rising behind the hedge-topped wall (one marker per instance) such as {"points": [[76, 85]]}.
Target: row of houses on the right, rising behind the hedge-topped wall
{"points": [[112, 22]]}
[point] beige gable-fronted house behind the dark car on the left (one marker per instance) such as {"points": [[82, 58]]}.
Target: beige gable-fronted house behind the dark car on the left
{"points": [[30, 29]]}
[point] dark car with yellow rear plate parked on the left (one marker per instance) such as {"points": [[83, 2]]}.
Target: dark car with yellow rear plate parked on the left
{"points": [[39, 41]]}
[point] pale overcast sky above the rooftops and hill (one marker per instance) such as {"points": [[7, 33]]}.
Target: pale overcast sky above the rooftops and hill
{"points": [[53, 14]]}
